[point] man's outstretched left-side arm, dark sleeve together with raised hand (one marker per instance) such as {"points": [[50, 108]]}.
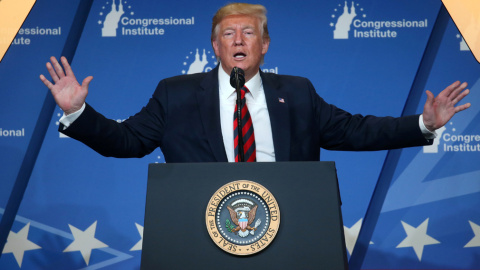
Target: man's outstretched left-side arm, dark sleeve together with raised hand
{"points": [[136, 137]]}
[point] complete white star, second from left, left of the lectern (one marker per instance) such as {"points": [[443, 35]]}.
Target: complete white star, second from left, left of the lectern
{"points": [[84, 241]]}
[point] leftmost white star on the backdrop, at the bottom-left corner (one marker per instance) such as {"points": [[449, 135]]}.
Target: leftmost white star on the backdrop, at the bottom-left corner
{"points": [[17, 243]]}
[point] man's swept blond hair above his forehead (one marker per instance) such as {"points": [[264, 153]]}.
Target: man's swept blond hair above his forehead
{"points": [[257, 11]]}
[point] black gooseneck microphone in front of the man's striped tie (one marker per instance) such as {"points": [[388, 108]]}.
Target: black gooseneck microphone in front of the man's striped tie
{"points": [[237, 81]]}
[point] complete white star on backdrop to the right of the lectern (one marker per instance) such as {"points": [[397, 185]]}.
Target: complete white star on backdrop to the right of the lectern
{"points": [[417, 238]]}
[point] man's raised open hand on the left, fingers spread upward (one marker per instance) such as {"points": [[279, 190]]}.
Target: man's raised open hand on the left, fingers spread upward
{"points": [[68, 93]]}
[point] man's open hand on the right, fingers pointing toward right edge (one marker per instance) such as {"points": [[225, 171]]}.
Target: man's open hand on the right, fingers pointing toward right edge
{"points": [[439, 110]]}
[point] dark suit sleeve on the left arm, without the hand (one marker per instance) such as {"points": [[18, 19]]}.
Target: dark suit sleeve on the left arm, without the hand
{"points": [[137, 136]]}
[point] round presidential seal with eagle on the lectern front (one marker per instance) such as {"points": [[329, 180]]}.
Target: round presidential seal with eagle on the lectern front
{"points": [[242, 217]]}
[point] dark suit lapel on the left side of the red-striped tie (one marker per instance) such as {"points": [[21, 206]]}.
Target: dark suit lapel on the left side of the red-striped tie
{"points": [[209, 107]]}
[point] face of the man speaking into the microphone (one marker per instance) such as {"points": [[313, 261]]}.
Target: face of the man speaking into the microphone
{"points": [[239, 43]]}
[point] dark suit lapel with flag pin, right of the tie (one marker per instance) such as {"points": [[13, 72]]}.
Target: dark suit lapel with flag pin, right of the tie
{"points": [[279, 116]]}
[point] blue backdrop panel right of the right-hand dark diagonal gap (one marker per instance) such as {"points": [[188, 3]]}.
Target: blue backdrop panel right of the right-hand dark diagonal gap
{"points": [[439, 183]]}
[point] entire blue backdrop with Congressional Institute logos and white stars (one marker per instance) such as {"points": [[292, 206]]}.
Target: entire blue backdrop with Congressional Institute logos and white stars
{"points": [[84, 210]]}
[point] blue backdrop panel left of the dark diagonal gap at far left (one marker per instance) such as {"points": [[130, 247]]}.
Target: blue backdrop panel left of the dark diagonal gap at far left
{"points": [[22, 92]]}
